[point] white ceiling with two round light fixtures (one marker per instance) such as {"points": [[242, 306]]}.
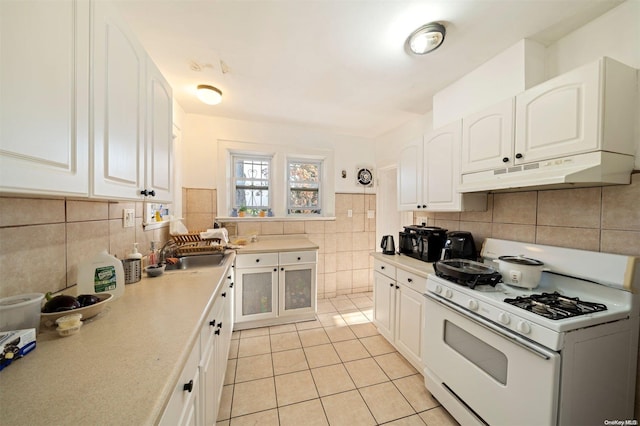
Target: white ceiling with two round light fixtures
{"points": [[338, 65]]}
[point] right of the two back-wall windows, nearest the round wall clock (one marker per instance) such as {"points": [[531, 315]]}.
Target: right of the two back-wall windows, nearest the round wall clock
{"points": [[304, 187]]}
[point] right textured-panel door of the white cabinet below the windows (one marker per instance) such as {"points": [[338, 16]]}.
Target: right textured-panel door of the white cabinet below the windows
{"points": [[297, 289]]}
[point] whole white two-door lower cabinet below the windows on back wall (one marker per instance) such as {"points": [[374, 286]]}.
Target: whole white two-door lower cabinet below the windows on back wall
{"points": [[275, 287]]}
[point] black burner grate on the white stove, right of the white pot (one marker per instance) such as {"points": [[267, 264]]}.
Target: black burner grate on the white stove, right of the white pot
{"points": [[556, 306]]}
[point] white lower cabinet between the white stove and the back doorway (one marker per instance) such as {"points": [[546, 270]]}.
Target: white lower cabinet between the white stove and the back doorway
{"points": [[398, 310]]}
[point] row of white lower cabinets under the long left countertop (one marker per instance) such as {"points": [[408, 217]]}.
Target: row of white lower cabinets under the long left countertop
{"points": [[196, 397]]}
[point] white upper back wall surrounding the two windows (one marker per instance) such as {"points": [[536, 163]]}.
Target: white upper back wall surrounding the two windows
{"points": [[201, 134]]}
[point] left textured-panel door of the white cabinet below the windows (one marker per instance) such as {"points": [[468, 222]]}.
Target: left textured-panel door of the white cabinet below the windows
{"points": [[257, 293]]}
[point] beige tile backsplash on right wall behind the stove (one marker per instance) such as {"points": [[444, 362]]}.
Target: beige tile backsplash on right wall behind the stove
{"points": [[603, 219]]}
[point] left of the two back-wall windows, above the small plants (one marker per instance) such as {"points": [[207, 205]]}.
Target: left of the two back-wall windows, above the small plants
{"points": [[251, 180]]}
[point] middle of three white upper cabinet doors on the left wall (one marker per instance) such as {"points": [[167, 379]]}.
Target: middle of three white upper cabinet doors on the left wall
{"points": [[119, 99]]}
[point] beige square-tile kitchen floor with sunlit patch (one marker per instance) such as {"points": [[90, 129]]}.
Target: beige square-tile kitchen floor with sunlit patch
{"points": [[336, 370]]}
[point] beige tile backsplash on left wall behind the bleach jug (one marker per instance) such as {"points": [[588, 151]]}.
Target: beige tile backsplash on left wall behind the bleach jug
{"points": [[42, 241]]}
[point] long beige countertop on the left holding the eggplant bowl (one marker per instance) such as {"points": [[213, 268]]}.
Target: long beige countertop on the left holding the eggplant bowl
{"points": [[122, 366]]}
